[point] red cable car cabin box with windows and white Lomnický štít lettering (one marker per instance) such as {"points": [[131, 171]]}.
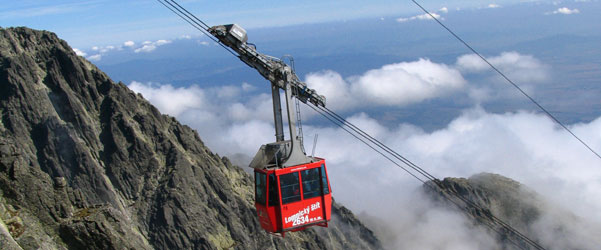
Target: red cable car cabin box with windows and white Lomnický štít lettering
{"points": [[293, 198]]}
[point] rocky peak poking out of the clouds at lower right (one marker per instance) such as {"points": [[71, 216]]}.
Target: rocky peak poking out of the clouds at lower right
{"points": [[523, 209]]}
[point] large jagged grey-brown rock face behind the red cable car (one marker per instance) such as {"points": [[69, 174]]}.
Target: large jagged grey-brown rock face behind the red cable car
{"points": [[87, 163]]}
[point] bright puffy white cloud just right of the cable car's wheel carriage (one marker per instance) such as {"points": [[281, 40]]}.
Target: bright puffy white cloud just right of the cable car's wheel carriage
{"points": [[393, 84]]}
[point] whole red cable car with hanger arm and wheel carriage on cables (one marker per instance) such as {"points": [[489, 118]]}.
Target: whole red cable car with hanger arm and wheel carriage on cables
{"points": [[292, 190]]}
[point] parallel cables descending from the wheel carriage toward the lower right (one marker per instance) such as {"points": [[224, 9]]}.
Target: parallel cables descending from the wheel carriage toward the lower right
{"points": [[342, 122]]}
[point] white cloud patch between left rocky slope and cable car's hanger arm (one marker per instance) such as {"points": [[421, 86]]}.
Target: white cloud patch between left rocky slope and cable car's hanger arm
{"points": [[230, 124]]}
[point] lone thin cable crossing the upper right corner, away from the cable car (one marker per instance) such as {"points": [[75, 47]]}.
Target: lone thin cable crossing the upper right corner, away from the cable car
{"points": [[509, 80]]}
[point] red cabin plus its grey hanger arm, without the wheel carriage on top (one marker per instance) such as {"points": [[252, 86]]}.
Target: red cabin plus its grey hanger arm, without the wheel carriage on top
{"points": [[292, 191]]}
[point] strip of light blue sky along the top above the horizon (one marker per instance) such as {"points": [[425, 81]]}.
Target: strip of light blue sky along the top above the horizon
{"points": [[103, 22]]}
